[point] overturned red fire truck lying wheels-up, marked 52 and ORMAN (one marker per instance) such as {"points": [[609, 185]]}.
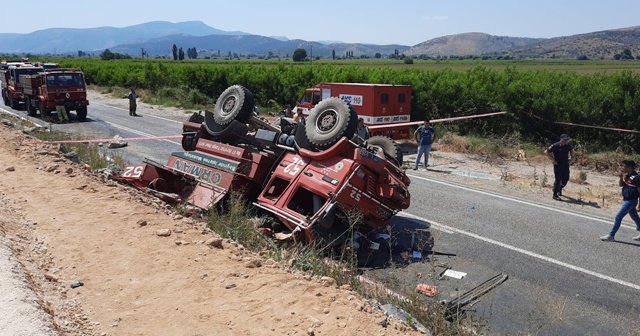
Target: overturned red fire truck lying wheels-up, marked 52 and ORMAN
{"points": [[310, 177]]}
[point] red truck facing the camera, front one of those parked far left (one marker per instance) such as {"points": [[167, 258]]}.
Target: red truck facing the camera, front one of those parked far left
{"points": [[45, 90]]}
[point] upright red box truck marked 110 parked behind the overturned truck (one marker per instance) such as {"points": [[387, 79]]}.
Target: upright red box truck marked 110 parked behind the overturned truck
{"points": [[378, 104]]}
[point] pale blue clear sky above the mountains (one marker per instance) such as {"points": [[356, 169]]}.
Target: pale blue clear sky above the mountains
{"points": [[407, 22]]}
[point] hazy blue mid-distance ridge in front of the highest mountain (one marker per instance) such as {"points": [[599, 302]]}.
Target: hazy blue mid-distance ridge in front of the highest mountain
{"points": [[249, 44]]}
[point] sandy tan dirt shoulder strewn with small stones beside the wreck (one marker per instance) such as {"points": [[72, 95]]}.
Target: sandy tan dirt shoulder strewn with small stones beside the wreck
{"points": [[67, 224]]}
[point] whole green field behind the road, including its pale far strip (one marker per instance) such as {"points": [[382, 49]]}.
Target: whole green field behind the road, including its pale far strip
{"points": [[537, 93]]}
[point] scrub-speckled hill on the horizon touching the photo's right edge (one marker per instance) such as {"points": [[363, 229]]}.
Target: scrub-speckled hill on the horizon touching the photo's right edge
{"points": [[593, 45]]}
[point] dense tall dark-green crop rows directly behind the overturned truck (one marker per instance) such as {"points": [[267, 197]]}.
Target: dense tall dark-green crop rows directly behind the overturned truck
{"points": [[535, 99]]}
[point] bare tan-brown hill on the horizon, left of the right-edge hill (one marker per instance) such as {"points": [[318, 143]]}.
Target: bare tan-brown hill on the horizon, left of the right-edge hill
{"points": [[469, 44]]}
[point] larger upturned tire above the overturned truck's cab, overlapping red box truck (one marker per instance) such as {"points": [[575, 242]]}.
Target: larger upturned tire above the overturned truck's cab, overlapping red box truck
{"points": [[329, 121]]}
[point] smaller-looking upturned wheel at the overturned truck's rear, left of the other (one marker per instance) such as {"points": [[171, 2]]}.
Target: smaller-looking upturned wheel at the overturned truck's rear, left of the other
{"points": [[235, 103]]}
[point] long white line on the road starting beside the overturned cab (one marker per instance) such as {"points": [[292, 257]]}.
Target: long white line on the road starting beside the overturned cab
{"points": [[525, 252]]}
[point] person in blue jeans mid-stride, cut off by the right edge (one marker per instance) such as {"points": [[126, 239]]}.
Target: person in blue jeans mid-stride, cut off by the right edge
{"points": [[630, 183]]}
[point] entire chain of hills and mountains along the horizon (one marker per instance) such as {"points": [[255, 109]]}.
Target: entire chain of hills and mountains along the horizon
{"points": [[158, 37]]}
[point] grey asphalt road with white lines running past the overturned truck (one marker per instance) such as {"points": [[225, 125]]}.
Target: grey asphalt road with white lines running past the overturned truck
{"points": [[562, 279]]}
